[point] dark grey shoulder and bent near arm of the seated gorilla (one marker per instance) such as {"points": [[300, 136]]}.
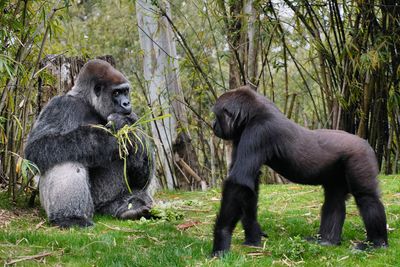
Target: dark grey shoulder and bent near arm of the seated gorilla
{"points": [[63, 134]]}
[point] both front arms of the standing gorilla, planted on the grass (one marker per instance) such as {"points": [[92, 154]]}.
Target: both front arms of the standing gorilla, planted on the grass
{"points": [[240, 193]]}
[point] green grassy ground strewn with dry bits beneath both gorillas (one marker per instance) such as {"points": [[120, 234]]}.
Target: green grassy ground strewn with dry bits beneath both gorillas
{"points": [[287, 213]]}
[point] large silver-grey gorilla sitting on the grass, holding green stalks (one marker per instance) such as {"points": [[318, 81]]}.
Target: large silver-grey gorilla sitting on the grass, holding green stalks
{"points": [[81, 172]]}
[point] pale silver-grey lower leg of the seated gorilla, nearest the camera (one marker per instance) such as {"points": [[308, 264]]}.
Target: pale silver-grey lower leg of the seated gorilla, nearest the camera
{"points": [[65, 195]]}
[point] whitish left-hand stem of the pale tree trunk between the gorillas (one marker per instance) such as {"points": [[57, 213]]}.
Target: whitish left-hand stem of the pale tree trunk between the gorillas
{"points": [[152, 35]]}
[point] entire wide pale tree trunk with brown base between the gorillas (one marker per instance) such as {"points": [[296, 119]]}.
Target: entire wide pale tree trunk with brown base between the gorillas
{"points": [[177, 156]]}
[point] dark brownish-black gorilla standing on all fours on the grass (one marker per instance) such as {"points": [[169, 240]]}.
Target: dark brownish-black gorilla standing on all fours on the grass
{"points": [[341, 162]]}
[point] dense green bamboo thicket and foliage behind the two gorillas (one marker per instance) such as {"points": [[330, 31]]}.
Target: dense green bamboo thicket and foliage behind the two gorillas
{"points": [[326, 64]]}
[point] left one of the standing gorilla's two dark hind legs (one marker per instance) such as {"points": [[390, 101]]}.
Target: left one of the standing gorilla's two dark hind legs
{"points": [[333, 214]]}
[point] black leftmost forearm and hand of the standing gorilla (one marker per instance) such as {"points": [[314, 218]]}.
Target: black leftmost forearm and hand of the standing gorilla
{"points": [[229, 214]]}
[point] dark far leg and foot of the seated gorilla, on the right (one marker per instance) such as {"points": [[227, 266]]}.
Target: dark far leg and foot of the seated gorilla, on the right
{"points": [[119, 202]]}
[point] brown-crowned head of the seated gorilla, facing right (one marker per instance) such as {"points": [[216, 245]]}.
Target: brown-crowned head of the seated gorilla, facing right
{"points": [[104, 88]]}
